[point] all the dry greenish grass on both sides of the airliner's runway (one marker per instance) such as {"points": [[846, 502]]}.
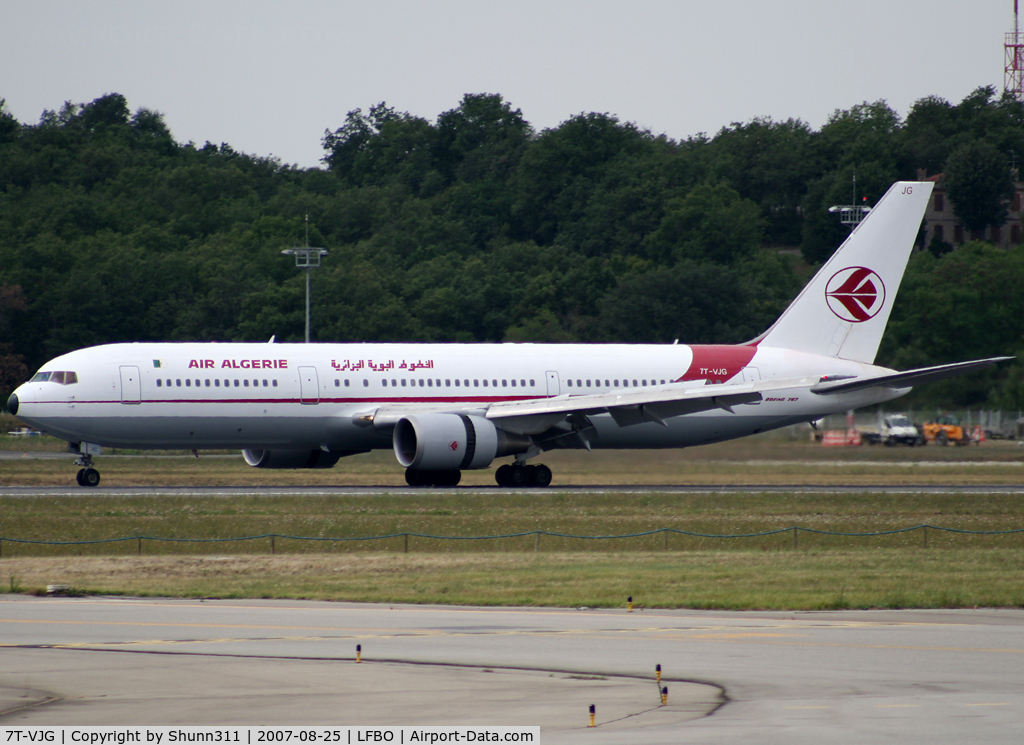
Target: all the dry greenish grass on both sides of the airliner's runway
{"points": [[819, 573]]}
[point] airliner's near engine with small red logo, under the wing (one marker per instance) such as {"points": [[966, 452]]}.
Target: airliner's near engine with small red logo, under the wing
{"points": [[453, 443]]}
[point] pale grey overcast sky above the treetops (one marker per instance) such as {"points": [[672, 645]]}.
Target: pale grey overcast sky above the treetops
{"points": [[269, 78]]}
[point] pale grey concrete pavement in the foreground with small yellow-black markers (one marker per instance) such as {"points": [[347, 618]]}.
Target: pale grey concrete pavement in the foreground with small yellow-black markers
{"points": [[870, 677]]}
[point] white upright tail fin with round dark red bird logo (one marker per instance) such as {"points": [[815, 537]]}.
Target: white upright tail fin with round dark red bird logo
{"points": [[844, 310]]}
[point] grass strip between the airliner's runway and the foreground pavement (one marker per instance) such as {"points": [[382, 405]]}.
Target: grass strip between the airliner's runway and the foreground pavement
{"points": [[954, 571]]}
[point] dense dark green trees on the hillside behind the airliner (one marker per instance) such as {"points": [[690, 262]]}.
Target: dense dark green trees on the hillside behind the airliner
{"points": [[478, 228]]}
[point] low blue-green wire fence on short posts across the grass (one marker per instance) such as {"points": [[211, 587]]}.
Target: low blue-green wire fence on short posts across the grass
{"points": [[795, 532]]}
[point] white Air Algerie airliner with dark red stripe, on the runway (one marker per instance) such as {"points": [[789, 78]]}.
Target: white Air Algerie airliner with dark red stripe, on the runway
{"points": [[448, 408]]}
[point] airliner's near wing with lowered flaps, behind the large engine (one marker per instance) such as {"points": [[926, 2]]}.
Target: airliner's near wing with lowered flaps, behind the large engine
{"points": [[632, 408]]}
